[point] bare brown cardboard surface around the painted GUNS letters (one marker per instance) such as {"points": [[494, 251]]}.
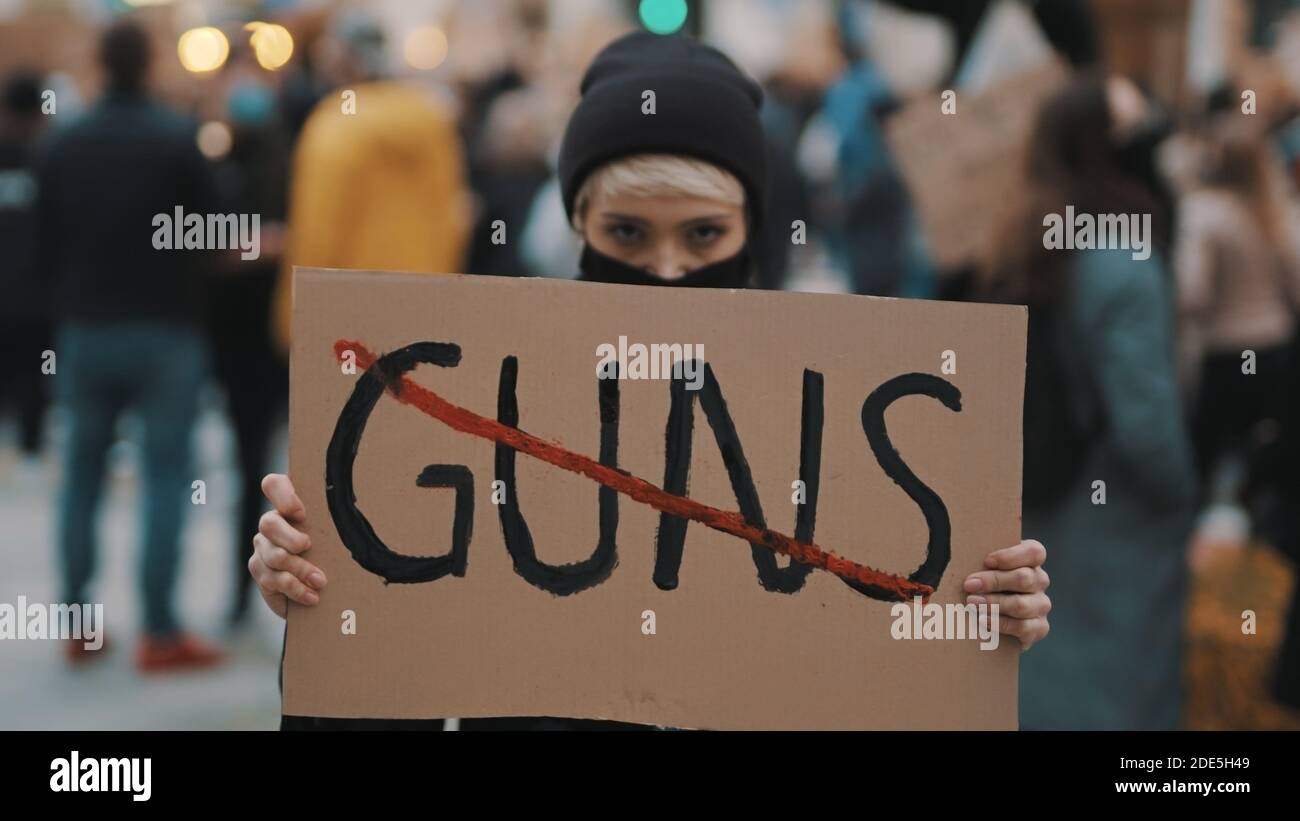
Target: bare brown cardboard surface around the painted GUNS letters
{"points": [[726, 653]]}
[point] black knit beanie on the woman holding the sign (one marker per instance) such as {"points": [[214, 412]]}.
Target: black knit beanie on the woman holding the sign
{"points": [[705, 108]]}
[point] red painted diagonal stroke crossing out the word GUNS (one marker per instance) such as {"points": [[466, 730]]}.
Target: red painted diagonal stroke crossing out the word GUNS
{"points": [[467, 422]]}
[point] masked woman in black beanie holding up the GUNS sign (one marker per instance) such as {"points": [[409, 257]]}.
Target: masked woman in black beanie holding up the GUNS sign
{"points": [[670, 201]]}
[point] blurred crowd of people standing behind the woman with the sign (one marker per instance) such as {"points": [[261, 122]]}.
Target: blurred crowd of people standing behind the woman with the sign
{"points": [[426, 142]]}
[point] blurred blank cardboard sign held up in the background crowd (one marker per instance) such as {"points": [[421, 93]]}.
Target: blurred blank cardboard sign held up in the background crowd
{"points": [[965, 168]]}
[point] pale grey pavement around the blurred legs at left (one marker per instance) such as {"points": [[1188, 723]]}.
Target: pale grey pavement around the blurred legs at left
{"points": [[38, 690]]}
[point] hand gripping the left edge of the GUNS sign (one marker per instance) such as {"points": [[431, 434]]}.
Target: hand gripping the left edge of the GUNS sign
{"points": [[276, 566]]}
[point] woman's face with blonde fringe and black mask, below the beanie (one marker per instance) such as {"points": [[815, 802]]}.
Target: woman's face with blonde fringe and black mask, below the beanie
{"points": [[664, 220]]}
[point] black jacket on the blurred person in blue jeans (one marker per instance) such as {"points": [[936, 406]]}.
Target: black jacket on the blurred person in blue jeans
{"points": [[102, 180]]}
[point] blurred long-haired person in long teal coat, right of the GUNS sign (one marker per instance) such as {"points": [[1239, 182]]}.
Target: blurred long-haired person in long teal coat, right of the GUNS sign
{"points": [[1102, 405]]}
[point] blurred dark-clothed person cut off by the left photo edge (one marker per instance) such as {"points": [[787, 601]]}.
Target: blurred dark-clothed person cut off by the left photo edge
{"points": [[25, 310]]}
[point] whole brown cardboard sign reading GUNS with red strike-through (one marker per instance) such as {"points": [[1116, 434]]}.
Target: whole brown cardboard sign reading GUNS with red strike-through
{"points": [[506, 533]]}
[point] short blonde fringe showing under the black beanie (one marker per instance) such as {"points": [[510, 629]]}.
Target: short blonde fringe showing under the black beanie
{"points": [[660, 176]]}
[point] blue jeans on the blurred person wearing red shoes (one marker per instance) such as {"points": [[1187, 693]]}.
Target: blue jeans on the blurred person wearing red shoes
{"points": [[157, 370]]}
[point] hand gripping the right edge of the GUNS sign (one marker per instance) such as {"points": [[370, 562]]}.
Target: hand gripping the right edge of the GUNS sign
{"points": [[1017, 584]]}
